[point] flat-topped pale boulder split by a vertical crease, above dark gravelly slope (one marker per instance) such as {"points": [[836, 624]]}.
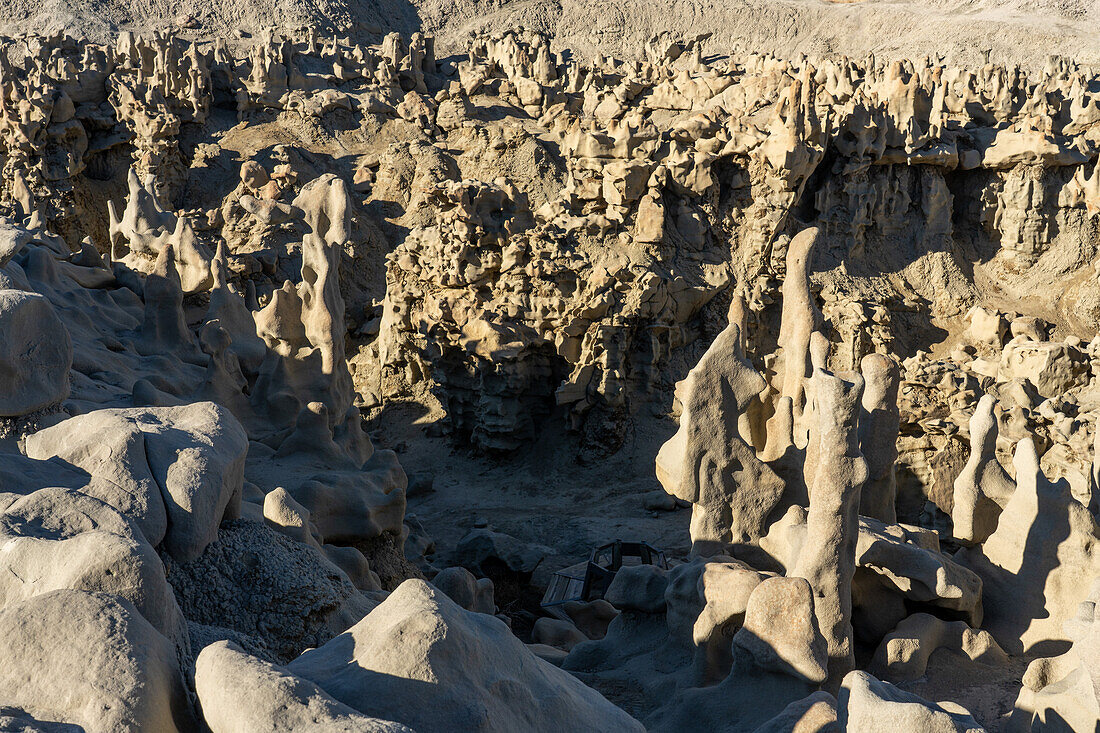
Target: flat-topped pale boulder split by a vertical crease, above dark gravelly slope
{"points": [[177, 472]]}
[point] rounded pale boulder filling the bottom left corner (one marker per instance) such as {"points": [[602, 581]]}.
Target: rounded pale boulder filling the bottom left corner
{"points": [[91, 660]]}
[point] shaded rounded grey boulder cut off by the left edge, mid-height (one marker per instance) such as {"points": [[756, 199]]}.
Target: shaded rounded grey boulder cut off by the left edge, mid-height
{"points": [[36, 355]]}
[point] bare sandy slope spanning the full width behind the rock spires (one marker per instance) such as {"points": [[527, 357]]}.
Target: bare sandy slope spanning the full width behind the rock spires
{"points": [[1021, 31]]}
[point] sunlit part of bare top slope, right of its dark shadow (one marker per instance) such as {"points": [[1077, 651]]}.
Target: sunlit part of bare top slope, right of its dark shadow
{"points": [[1021, 31]]}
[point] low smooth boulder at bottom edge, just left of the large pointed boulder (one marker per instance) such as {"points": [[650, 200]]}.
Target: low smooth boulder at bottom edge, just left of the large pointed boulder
{"points": [[240, 694]]}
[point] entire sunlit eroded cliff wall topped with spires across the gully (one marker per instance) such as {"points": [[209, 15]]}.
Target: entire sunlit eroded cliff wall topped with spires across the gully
{"points": [[532, 243]]}
